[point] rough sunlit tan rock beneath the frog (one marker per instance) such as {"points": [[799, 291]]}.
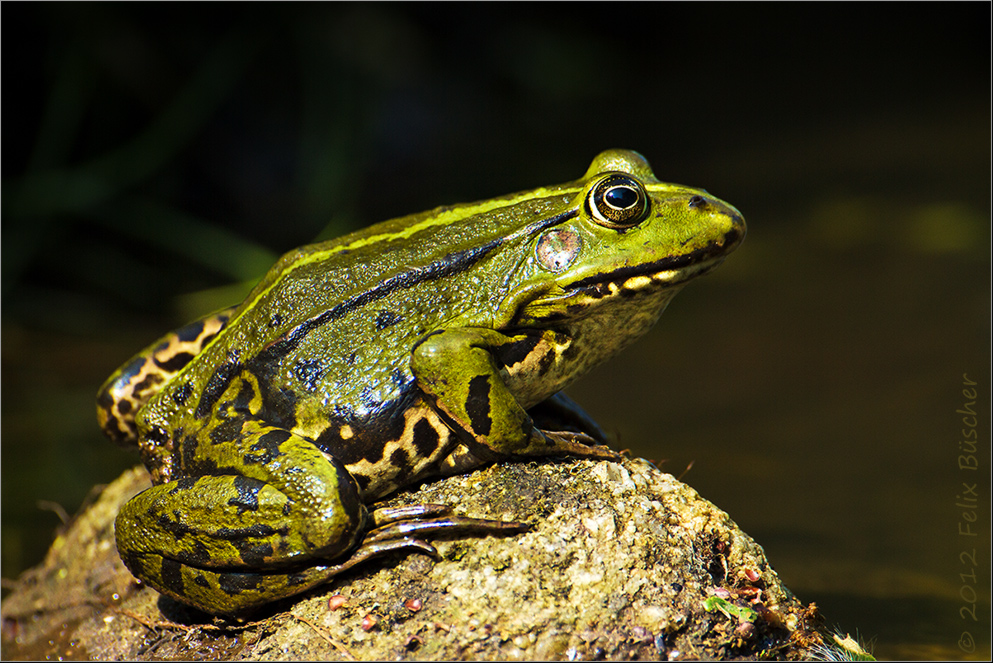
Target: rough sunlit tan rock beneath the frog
{"points": [[623, 561]]}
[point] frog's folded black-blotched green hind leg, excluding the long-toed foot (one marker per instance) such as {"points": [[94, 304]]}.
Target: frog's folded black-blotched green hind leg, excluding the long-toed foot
{"points": [[261, 519]]}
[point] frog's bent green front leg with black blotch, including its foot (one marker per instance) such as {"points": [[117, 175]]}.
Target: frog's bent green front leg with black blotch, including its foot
{"points": [[462, 371]]}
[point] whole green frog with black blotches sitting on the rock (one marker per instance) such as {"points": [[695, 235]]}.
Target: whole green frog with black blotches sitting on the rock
{"points": [[421, 347]]}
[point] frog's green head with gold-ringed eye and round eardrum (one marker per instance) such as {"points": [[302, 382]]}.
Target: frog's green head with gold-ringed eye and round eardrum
{"points": [[626, 237]]}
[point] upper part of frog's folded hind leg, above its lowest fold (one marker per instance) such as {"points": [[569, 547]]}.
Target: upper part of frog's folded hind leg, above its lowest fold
{"points": [[288, 501]]}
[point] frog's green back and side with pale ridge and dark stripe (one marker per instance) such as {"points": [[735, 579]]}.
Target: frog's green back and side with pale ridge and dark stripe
{"points": [[326, 335]]}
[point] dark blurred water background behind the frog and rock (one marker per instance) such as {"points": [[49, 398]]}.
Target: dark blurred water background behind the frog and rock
{"points": [[158, 158]]}
